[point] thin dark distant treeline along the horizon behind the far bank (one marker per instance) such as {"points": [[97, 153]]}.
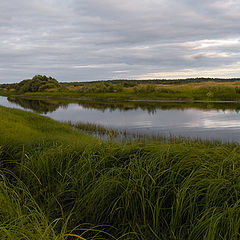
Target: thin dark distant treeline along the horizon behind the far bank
{"points": [[148, 81]]}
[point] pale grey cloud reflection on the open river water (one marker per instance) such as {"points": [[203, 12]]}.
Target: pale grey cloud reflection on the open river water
{"points": [[162, 119]]}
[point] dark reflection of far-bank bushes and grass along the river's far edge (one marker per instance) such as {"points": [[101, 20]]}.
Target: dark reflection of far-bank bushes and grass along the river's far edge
{"points": [[50, 105]]}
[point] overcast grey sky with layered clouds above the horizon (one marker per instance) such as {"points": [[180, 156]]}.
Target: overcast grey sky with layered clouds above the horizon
{"points": [[86, 40]]}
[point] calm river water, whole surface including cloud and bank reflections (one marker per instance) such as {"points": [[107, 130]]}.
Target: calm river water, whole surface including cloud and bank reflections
{"points": [[206, 121]]}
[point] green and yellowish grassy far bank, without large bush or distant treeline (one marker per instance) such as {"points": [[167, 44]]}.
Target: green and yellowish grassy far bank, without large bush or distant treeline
{"points": [[211, 91]]}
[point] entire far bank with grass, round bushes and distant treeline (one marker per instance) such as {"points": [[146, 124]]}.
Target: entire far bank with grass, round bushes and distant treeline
{"points": [[174, 90]]}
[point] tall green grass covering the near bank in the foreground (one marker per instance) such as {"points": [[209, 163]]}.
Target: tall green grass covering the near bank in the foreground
{"points": [[57, 183]]}
